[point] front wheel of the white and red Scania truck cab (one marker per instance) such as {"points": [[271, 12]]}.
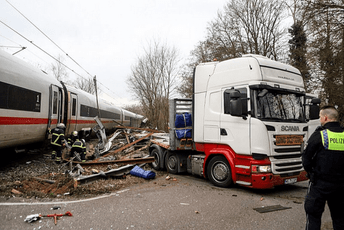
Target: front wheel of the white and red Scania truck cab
{"points": [[219, 172]]}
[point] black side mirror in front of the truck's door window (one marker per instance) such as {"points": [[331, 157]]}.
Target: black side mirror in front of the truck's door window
{"points": [[232, 101]]}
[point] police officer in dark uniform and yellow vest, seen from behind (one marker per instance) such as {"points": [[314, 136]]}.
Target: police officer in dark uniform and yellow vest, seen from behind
{"points": [[323, 161]]}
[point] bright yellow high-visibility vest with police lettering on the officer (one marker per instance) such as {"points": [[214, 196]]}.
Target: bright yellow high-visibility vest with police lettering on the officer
{"points": [[332, 140]]}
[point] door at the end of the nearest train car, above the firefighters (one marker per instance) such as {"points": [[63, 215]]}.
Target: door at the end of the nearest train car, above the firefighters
{"points": [[55, 106]]}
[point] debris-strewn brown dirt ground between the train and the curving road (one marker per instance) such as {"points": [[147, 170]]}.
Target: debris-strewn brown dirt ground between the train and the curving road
{"points": [[33, 175]]}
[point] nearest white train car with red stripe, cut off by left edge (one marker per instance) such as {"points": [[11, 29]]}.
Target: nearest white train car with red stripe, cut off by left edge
{"points": [[25, 96]]}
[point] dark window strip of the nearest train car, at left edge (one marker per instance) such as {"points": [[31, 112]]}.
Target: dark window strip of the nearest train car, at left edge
{"points": [[18, 98]]}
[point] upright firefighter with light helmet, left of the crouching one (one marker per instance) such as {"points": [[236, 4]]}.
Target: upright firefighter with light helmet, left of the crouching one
{"points": [[57, 141]]}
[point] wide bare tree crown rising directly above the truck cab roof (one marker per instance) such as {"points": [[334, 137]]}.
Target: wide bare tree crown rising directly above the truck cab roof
{"points": [[248, 26]]}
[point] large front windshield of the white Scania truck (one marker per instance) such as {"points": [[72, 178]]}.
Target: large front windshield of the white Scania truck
{"points": [[279, 106]]}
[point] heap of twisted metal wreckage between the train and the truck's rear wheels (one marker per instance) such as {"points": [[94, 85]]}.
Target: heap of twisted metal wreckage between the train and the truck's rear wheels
{"points": [[105, 153]]}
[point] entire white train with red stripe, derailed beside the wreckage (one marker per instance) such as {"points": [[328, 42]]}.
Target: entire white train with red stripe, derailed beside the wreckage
{"points": [[31, 101]]}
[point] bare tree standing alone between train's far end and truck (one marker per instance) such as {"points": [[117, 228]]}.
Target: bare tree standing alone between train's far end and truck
{"points": [[153, 81]]}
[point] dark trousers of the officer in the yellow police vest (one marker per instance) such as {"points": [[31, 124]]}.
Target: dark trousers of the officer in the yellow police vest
{"points": [[315, 201]]}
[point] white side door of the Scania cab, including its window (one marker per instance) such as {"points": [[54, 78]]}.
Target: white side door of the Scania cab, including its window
{"points": [[234, 125]]}
